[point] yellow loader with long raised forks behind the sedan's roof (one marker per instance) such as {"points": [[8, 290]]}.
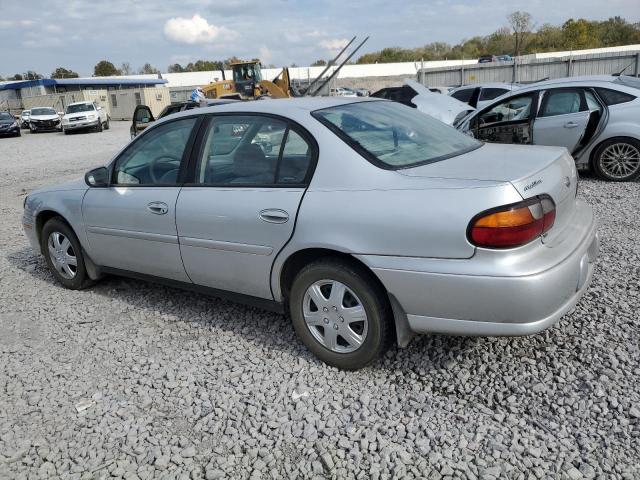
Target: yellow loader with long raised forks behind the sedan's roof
{"points": [[247, 82]]}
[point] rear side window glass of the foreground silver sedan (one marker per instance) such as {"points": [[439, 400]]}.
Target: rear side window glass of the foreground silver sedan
{"points": [[247, 150]]}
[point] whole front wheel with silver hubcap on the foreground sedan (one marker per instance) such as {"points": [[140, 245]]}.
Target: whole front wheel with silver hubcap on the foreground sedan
{"points": [[64, 256]]}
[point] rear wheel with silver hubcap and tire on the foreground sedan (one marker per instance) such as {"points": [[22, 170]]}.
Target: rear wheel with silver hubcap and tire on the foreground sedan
{"points": [[341, 313]]}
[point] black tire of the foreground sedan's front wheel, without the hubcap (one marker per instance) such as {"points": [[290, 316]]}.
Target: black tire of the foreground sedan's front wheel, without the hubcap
{"points": [[81, 279]]}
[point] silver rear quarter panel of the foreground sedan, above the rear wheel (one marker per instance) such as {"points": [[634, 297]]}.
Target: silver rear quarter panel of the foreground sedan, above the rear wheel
{"points": [[354, 207]]}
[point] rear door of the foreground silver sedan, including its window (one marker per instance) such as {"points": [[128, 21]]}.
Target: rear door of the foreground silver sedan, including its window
{"points": [[240, 210]]}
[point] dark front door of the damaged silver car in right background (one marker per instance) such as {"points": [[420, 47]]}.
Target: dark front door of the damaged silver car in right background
{"points": [[508, 121]]}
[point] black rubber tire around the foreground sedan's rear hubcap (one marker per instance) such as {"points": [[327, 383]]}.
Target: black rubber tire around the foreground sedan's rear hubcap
{"points": [[369, 293]]}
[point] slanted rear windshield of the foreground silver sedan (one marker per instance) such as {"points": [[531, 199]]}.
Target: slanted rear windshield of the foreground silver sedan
{"points": [[392, 135]]}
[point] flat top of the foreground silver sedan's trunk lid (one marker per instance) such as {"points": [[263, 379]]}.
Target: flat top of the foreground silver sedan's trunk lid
{"points": [[496, 162]]}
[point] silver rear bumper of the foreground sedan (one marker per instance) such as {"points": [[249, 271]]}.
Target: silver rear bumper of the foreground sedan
{"points": [[521, 293]]}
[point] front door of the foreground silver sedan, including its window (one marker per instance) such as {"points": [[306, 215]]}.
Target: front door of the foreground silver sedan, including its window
{"points": [[131, 224]]}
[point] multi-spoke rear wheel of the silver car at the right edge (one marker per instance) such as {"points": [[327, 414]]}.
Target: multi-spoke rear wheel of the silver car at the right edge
{"points": [[618, 159]]}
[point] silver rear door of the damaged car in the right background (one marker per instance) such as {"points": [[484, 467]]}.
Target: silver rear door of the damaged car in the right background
{"points": [[562, 119]]}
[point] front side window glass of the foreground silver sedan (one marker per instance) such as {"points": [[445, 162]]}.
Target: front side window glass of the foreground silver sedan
{"points": [[154, 159]]}
